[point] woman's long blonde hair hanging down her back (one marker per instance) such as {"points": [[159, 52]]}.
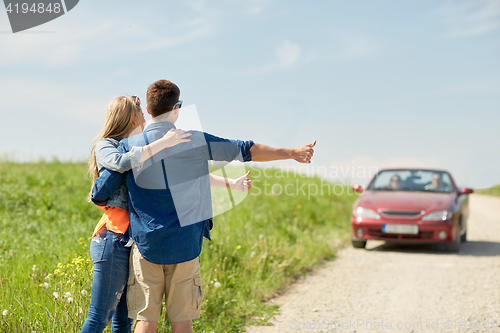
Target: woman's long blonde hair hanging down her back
{"points": [[122, 111]]}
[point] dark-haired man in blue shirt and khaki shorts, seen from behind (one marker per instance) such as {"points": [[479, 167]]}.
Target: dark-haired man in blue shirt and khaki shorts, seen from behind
{"points": [[170, 212]]}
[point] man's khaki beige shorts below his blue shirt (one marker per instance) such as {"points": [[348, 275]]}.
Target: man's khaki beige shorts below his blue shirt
{"points": [[147, 283]]}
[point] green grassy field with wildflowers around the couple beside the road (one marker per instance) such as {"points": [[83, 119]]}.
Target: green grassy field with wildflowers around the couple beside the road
{"points": [[256, 249]]}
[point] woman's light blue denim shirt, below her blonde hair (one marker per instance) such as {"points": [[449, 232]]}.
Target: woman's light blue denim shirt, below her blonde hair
{"points": [[108, 157]]}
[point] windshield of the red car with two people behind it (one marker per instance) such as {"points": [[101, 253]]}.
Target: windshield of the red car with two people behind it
{"points": [[412, 180]]}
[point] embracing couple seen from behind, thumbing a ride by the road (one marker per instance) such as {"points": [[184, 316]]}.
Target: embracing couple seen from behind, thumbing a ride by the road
{"points": [[154, 188]]}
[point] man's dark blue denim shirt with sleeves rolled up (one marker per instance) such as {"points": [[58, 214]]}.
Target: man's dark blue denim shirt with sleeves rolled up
{"points": [[170, 206]]}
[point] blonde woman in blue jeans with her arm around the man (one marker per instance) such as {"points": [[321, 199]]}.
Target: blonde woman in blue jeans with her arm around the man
{"points": [[109, 247]]}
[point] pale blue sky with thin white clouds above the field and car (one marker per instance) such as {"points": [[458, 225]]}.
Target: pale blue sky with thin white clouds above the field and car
{"points": [[376, 83]]}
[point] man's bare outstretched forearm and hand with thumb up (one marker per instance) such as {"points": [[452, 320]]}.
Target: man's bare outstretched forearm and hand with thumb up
{"points": [[263, 153]]}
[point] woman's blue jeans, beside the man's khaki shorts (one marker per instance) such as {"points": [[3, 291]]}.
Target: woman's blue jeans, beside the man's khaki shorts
{"points": [[108, 300]]}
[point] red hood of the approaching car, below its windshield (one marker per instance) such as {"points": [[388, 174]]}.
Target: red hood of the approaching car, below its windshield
{"points": [[412, 201]]}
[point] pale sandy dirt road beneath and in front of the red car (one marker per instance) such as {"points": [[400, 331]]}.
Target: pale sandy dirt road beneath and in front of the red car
{"points": [[409, 288]]}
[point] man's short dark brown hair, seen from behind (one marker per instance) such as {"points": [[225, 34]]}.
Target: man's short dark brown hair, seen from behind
{"points": [[161, 97]]}
